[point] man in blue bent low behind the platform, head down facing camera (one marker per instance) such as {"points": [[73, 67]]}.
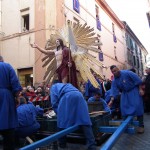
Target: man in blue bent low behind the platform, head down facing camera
{"points": [[97, 98]]}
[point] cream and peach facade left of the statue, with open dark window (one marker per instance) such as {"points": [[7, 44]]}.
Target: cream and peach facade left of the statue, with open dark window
{"points": [[24, 22]]}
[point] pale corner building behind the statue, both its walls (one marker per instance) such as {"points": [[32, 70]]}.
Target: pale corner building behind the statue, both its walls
{"points": [[23, 22]]}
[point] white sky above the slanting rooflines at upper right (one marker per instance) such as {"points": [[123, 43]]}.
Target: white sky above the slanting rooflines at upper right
{"points": [[134, 13]]}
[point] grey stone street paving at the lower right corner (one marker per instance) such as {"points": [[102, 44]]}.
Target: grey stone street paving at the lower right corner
{"points": [[126, 141]]}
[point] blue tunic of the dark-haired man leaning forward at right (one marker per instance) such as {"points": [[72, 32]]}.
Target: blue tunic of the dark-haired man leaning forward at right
{"points": [[131, 101]]}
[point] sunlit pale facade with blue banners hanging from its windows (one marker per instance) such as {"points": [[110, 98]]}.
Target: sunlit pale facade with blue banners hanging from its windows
{"points": [[107, 26]]}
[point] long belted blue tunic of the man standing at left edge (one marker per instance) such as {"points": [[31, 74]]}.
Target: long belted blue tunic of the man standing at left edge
{"points": [[9, 86]]}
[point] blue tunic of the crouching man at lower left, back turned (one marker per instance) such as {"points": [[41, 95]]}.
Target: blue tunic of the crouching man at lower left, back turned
{"points": [[28, 124]]}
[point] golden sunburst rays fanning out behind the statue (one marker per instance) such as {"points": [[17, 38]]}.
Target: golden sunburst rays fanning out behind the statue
{"points": [[83, 37]]}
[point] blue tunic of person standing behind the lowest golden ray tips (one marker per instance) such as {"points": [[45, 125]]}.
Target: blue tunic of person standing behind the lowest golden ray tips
{"points": [[90, 90]]}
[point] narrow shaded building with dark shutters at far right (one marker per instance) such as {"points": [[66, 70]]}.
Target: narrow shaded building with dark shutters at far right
{"points": [[136, 52]]}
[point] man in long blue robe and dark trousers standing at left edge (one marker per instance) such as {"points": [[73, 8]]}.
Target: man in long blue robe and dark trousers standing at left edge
{"points": [[9, 88]]}
